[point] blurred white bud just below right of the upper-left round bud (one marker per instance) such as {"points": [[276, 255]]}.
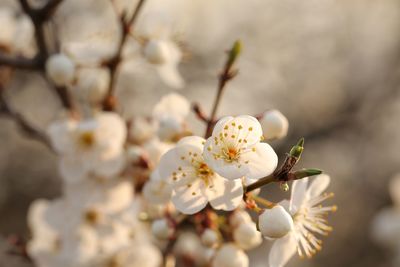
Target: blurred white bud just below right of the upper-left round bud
{"points": [[93, 84]]}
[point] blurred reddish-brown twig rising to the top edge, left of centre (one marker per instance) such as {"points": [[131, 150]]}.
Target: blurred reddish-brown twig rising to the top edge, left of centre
{"points": [[109, 102]]}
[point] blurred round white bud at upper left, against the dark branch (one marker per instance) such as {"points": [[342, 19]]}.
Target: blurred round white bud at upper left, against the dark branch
{"points": [[60, 69]]}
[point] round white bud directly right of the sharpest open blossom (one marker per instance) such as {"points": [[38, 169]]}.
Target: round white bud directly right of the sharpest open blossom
{"points": [[274, 124]]}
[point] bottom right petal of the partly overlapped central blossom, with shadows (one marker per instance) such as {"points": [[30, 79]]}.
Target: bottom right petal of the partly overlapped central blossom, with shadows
{"points": [[225, 194]]}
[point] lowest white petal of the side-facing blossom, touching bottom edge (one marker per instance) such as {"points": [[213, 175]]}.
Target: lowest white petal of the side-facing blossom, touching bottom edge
{"points": [[282, 250]]}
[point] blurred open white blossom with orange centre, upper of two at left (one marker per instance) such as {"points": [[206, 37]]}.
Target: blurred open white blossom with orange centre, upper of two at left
{"points": [[91, 146]]}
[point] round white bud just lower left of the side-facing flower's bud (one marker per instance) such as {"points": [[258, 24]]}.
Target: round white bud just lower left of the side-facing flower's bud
{"points": [[246, 236]]}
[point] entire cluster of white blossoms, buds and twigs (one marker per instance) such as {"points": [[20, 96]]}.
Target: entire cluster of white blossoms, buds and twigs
{"points": [[148, 190]]}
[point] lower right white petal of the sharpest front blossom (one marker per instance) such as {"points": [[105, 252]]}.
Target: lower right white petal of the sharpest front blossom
{"points": [[261, 162]]}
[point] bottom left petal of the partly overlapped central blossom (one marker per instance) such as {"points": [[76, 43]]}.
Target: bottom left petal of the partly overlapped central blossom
{"points": [[190, 200]]}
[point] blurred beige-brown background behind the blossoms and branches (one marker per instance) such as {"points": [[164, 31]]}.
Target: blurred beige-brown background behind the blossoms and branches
{"points": [[332, 67]]}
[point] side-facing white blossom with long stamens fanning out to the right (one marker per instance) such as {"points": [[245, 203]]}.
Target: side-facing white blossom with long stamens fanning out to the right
{"points": [[309, 218]]}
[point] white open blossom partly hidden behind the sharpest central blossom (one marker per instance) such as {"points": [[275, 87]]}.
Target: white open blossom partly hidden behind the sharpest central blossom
{"points": [[194, 183]]}
